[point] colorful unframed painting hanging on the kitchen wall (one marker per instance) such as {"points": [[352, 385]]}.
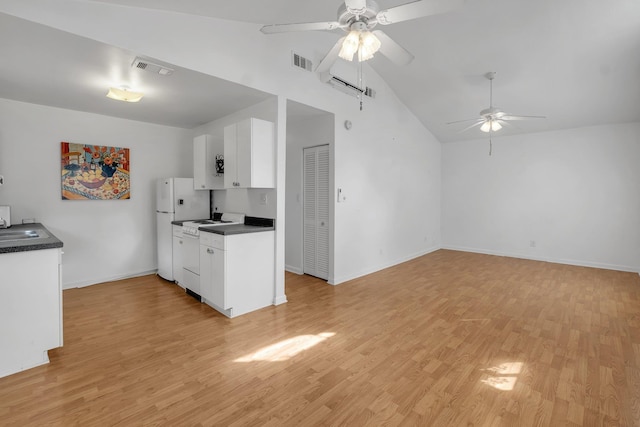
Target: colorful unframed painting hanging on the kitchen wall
{"points": [[94, 172]]}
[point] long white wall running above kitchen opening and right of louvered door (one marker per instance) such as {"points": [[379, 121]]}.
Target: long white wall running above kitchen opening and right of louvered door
{"points": [[388, 164]]}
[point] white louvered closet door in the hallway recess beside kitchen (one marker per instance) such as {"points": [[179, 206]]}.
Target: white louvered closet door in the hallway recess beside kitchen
{"points": [[316, 211]]}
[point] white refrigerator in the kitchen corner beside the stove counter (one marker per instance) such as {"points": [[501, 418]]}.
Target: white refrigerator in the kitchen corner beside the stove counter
{"points": [[176, 200]]}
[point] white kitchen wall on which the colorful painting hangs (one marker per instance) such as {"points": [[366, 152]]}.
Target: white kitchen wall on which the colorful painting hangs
{"points": [[104, 239]]}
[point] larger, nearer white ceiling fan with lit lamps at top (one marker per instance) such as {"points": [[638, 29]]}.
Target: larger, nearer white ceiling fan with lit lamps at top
{"points": [[358, 18]]}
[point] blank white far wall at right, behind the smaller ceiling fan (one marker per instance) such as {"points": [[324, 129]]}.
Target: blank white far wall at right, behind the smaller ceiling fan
{"points": [[575, 193]]}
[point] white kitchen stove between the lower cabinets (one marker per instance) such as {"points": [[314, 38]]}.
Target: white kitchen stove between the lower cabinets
{"points": [[191, 249]]}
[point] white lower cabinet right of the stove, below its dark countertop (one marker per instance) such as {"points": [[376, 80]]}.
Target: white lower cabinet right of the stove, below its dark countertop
{"points": [[237, 271]]}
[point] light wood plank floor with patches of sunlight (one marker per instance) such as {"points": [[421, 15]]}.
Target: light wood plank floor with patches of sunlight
{"points": [[448, 339]]}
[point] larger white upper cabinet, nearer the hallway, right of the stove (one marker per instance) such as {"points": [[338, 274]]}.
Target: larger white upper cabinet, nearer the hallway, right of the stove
{"points": [[249, 154]]}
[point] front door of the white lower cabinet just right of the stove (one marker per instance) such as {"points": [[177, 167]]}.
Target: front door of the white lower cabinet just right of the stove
{"points": [[212, 280]]}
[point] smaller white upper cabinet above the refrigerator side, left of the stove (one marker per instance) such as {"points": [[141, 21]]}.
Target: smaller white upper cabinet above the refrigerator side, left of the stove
{"points": [[206, 150]]}
